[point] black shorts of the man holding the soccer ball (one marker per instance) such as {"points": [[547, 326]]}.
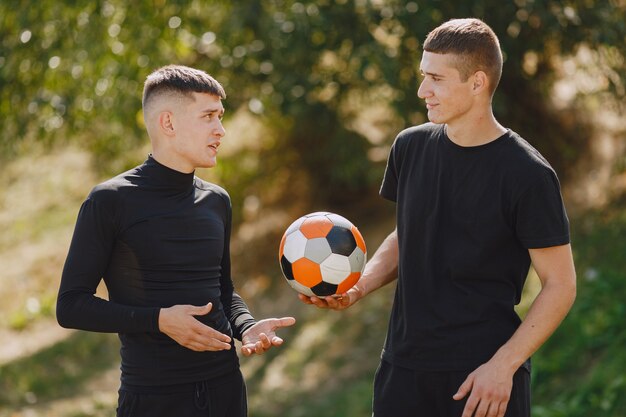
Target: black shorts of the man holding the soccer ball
{"points": [[401, 392]]}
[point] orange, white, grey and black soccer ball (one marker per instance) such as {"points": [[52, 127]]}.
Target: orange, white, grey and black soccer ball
{"points": [[322, 254]]}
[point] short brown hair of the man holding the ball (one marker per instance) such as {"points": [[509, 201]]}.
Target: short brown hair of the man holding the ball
{"points": [[475, 44]]}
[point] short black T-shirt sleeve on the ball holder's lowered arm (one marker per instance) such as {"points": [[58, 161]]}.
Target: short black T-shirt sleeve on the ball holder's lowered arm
{"points": [[541, 220]]}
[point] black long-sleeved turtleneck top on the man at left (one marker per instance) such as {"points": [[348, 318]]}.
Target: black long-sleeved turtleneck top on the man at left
{"points": [[158, 238]]}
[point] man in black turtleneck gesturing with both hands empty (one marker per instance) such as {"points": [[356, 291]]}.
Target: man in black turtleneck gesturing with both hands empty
{"points": [[159, 237]]}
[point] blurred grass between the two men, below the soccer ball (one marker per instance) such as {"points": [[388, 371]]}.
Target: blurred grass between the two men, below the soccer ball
{"points": [[326, 368]]}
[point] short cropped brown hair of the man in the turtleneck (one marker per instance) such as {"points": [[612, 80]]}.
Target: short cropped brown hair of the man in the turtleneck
{"points": [[182, 80]]}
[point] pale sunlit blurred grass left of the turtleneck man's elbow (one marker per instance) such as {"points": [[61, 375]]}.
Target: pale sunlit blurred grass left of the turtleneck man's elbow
{"points": [[38, 207]]}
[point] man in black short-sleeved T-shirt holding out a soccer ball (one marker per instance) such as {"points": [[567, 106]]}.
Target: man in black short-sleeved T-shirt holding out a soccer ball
{"points": [[476, 205]]}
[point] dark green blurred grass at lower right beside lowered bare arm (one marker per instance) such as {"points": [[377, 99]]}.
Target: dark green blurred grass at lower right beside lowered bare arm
{"points": [[581, 370]]}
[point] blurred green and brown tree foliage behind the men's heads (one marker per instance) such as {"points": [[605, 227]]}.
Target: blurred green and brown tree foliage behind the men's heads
{"points": [[73, 71]]}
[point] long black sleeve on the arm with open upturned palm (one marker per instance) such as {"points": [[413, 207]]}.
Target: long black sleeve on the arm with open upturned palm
{"points": [[235, 308]]}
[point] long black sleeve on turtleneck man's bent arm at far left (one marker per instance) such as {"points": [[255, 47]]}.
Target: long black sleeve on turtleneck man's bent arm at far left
{"points": [[77, 305]]}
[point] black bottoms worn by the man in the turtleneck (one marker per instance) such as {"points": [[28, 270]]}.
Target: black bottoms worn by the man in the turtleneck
{"points": [[224, 397]]}
